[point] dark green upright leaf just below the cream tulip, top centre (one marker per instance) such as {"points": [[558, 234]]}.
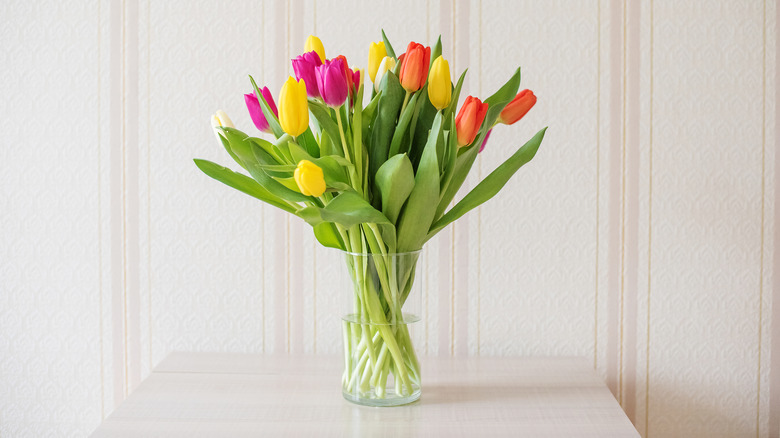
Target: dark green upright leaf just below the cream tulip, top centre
{"points": [[384, 125]]}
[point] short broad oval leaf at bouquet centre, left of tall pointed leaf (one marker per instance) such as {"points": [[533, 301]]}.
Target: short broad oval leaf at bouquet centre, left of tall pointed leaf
{"points": [[395, 181]]}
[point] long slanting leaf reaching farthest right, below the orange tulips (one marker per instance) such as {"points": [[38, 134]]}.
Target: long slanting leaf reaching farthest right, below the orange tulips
{"points": [[492, 184]]}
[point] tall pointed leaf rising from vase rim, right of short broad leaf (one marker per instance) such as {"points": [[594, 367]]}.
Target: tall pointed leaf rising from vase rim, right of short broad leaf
{"points": [[418, 213]]}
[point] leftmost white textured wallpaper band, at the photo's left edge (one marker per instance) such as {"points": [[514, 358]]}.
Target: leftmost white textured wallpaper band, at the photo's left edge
{"points": [[50, 288]]}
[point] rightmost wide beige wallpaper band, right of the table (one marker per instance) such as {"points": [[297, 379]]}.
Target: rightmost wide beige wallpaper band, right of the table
{"points": [[706, 223]]}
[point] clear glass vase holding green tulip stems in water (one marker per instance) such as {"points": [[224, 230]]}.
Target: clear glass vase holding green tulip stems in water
{"points": [[382, 305]]}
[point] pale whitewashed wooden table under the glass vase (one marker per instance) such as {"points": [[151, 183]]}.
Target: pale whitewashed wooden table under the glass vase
{"points": [[242, 395]]}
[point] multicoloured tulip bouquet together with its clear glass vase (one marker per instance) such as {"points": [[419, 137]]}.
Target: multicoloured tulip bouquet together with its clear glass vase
{"points": [[373, 175]]}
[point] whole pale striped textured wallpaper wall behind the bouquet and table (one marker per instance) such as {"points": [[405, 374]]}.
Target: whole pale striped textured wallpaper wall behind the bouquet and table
{"points": [[641, 236]]}
